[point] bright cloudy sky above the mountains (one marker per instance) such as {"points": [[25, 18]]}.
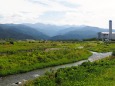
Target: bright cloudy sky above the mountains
{"points": [[59, 12]]}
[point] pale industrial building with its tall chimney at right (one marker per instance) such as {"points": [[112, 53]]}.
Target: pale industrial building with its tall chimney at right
{"points": [[107, 35]]}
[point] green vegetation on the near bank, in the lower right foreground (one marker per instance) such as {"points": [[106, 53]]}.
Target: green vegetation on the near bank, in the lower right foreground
{"points": [[99, 73]]}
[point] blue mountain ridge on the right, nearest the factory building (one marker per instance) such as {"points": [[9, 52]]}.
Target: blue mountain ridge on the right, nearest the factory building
{"points": [[78, 33]]}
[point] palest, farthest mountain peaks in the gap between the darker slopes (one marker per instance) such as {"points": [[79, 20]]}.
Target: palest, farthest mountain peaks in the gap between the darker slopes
{"points": [[50, 30]]}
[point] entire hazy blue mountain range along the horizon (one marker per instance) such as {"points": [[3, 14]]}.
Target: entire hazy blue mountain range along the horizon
{"points": [[48, 32]]}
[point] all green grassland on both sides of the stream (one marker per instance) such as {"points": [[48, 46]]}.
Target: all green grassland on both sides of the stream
{"points": [[23, 56]]}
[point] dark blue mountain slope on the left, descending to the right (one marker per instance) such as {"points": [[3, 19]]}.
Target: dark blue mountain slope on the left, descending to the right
{"points": [[19, 31]]}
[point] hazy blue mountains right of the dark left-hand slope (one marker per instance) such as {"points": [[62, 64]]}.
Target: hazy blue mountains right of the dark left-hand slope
{"points": [[67, 31]]}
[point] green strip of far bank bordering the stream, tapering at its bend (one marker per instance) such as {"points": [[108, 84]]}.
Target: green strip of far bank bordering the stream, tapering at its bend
{"points": [[24, 62]]}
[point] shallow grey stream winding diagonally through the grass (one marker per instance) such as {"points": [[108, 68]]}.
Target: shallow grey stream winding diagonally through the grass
{"points": [[12, 79]]}
